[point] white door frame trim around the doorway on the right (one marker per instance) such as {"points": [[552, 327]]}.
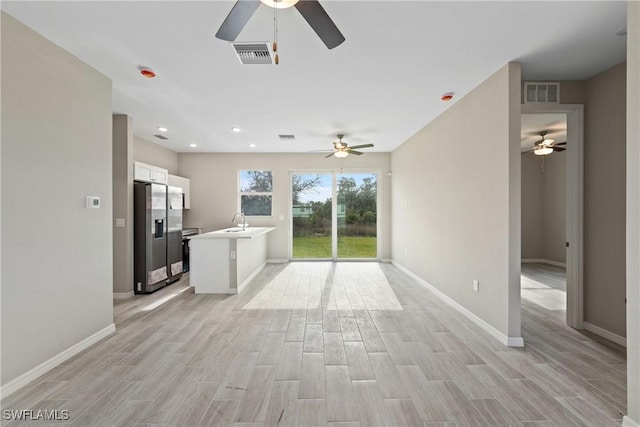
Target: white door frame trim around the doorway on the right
{"points": [[575, 204]]}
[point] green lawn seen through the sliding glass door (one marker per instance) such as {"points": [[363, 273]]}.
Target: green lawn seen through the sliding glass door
{"points": [[348, 247]]}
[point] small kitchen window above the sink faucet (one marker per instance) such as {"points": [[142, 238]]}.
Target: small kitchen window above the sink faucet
{"points": [[256, 193]]}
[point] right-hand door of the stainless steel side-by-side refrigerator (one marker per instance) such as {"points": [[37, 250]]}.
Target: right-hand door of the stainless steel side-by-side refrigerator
{"points": [[174, 234]]}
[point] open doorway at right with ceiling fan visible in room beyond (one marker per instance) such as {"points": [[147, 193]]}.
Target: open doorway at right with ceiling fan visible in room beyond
{"points": [[552, 218]]}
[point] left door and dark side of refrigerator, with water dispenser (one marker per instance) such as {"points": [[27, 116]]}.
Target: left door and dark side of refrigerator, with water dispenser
{"points": [[149, 237]]}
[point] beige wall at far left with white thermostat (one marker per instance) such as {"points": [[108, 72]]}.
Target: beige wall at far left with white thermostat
{"points": [[56, 150]]}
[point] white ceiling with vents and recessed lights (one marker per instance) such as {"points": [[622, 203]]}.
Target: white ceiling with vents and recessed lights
{"points": [[380, 86]]}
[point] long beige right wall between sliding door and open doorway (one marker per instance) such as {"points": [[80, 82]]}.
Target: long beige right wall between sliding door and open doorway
{"points": [[456, 201]]}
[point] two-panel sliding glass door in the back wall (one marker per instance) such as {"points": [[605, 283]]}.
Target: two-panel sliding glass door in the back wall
{"points": [[334, 215]]}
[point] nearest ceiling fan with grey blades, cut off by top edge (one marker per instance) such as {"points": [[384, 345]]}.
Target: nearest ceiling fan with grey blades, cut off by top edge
{"points": [[311, 10]]}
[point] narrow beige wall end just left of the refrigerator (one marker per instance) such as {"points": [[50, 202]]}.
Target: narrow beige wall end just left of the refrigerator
{"points": [[122, 205]]}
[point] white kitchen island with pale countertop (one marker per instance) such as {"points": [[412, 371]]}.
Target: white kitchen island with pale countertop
{"points": [[224, 261]]}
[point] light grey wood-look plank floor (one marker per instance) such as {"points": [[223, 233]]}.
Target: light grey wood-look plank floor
{"points": [[343, 344]]}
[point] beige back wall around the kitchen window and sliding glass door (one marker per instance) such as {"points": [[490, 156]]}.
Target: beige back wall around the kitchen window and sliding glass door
{"points": [[214, 190]]}
